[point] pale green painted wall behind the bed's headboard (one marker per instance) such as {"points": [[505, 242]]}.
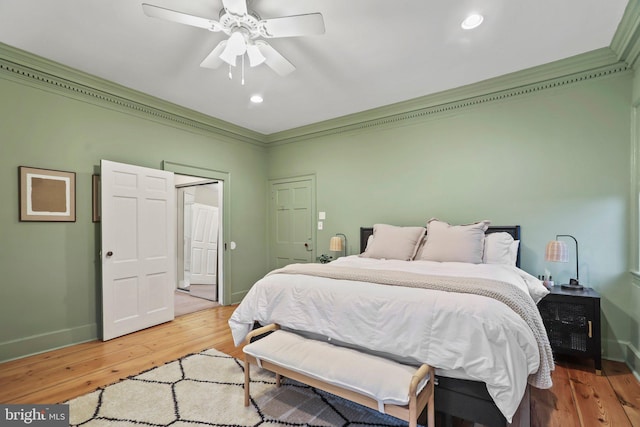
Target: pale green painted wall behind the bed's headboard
{"points": [[554, 161]]}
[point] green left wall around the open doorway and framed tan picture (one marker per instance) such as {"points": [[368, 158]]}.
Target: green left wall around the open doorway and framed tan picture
{"points": [[49, 271]]}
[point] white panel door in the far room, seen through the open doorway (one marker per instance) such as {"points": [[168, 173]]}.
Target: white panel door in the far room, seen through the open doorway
{"points": [[204, 244]]}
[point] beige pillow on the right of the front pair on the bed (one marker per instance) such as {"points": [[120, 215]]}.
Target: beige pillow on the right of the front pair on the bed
{"points": [[454, 243]]}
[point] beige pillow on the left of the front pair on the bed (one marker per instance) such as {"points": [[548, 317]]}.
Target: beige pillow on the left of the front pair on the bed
{"points": [[392, 242]]}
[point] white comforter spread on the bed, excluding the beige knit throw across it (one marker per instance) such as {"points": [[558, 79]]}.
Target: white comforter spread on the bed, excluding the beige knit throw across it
{"points": [[478, 337]]}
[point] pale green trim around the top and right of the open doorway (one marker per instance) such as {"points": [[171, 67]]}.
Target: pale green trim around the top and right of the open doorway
{"points": [[225, 180]]}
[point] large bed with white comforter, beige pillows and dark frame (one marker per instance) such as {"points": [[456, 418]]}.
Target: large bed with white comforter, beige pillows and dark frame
{"points": [[486, 350]]}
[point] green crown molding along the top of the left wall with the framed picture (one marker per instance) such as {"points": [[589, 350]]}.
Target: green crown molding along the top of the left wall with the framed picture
{"points": [[51, 76]]}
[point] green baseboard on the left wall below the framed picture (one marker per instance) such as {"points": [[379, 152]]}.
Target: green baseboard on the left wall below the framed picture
{"points": [[36, 344]]}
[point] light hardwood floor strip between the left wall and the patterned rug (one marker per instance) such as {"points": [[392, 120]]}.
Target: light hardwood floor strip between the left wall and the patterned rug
{"points": [[60, 375]]}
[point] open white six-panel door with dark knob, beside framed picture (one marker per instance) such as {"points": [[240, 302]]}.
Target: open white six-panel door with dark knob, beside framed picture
{"points": [[138, 224]]}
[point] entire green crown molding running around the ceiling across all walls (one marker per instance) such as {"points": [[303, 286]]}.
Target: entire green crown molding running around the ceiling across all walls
{"points": [[48, 75]]}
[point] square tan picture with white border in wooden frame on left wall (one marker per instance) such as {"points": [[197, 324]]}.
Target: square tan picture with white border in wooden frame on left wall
{"points": [[47, 195]]}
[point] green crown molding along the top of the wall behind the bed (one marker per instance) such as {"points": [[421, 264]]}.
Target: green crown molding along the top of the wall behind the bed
{"points": [[595, 64]]}
